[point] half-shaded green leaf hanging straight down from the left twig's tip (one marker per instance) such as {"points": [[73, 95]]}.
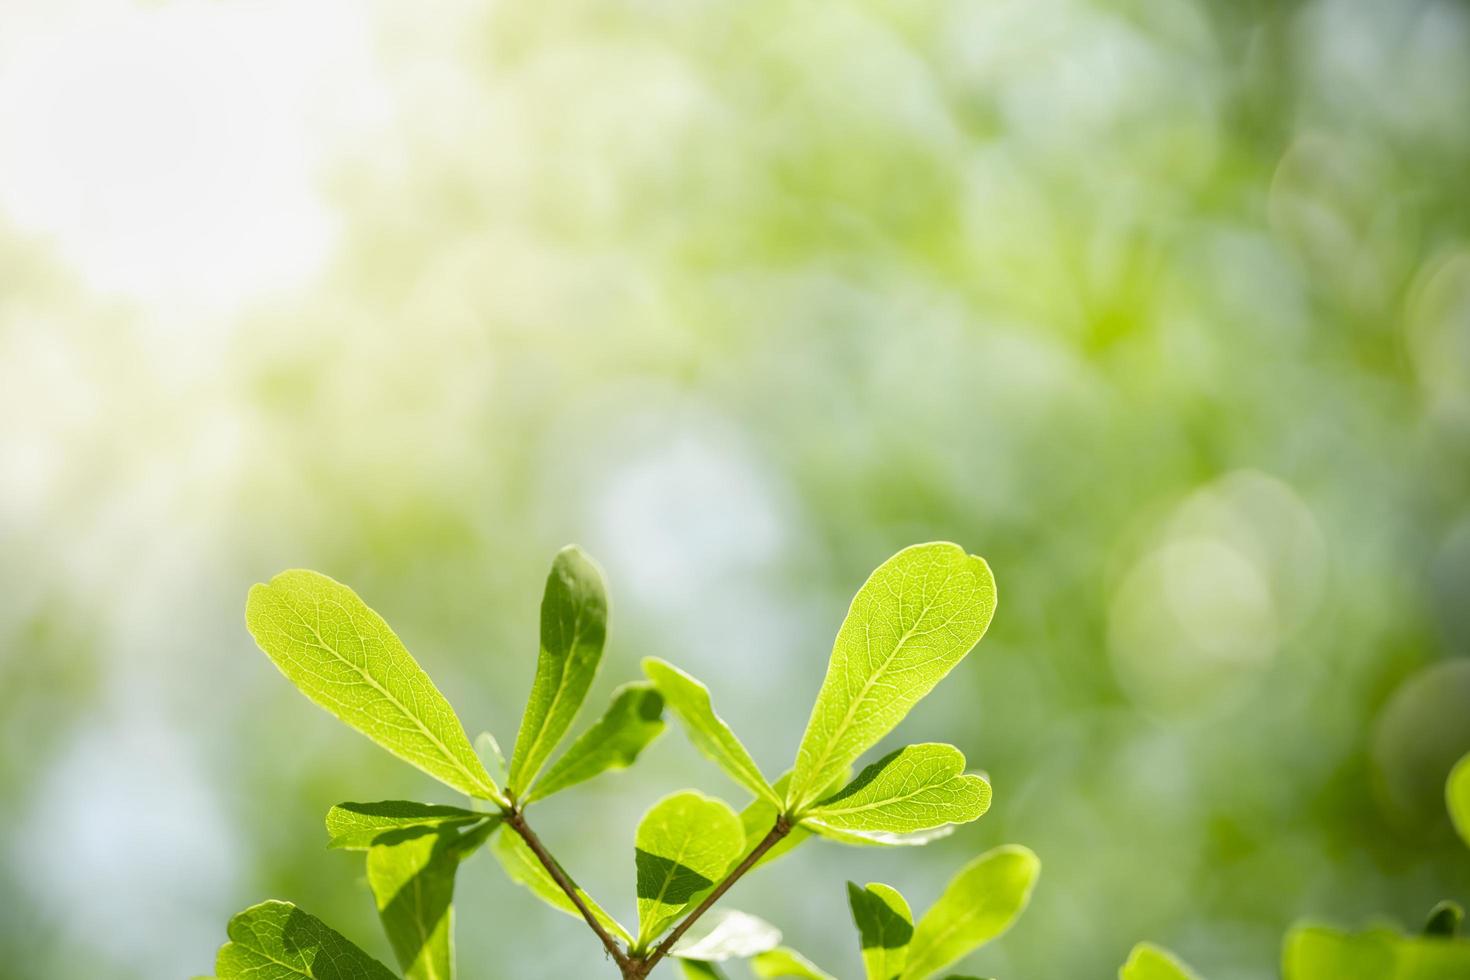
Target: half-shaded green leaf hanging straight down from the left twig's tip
{"points": [[412, 878]]}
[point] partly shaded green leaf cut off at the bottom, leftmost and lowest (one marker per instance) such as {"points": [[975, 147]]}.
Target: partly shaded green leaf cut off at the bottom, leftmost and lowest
{"points": [[277, 941]]}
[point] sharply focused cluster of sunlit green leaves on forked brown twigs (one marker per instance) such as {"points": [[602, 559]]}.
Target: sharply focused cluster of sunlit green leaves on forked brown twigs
{"points": [[909, 625]]}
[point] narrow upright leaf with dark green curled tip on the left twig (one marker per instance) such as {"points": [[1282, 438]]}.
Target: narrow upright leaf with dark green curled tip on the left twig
{"points": [[574, 625]]}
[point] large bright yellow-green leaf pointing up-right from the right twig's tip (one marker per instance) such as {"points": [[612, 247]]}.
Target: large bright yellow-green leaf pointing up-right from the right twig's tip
{"points": [[911, 624]]}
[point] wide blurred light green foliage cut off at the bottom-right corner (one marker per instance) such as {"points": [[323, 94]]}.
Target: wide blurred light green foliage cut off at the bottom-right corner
{"points": [[1318, 953]]}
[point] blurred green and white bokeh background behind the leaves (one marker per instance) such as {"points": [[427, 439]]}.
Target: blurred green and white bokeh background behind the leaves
{"points": [[1162, 306]]}
